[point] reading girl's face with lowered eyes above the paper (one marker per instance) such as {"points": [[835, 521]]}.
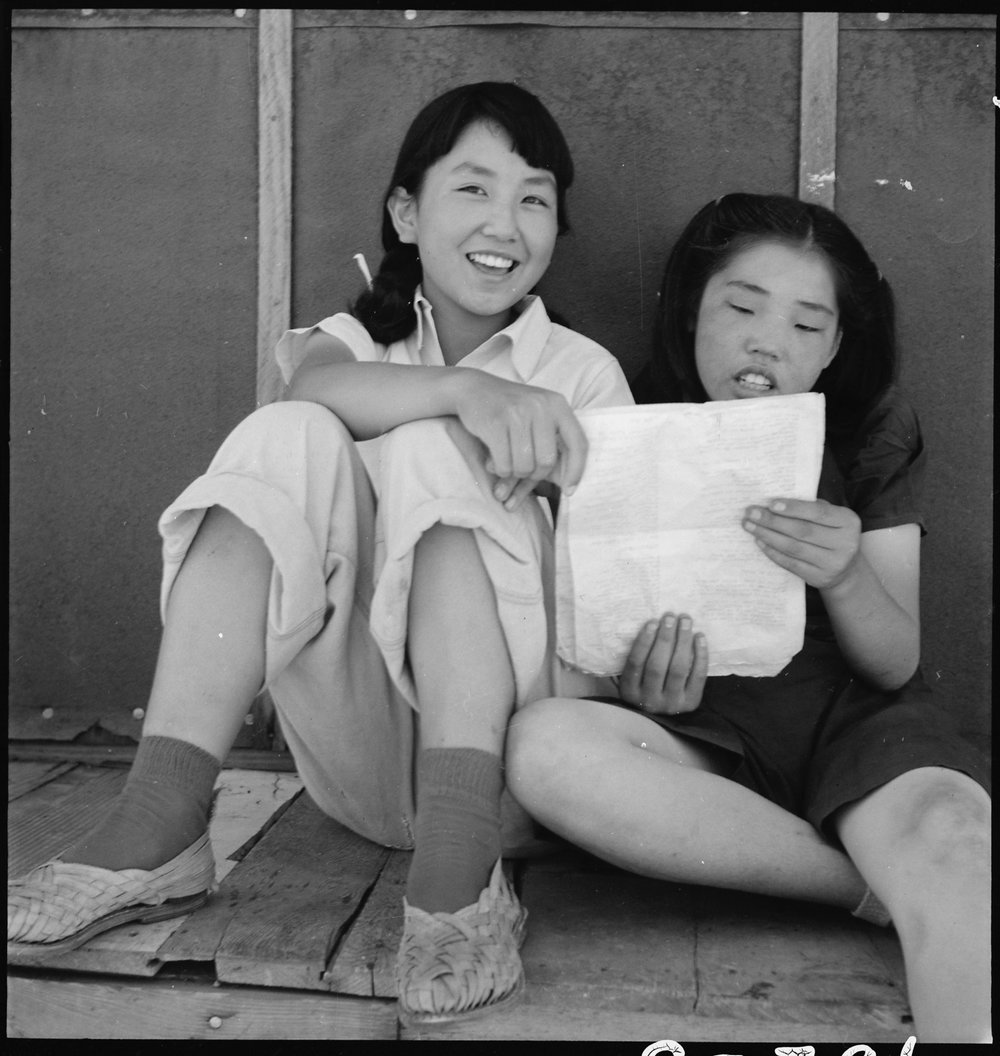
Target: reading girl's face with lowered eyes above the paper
{"points": [[768, 324]]}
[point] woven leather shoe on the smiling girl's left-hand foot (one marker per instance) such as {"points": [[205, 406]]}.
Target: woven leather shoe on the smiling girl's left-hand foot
{"points": [[61, 906]]}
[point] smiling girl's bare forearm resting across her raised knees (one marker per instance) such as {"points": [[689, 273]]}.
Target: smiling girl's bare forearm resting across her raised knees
{"points": [[373, 399]]}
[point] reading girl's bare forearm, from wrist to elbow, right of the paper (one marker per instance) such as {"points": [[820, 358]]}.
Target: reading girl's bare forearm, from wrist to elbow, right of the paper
{"points": [[879, 638]]}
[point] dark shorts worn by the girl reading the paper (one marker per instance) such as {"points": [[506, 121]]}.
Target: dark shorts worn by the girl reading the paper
{"points": [[815, 739]]}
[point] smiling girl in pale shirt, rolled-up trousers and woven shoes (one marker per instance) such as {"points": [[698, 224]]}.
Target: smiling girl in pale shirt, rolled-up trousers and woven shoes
{"points": [[309, 559]]}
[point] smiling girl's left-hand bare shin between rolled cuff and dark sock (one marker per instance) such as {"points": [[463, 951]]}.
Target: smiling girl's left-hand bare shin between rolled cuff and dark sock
{"points": [[212, 656]]}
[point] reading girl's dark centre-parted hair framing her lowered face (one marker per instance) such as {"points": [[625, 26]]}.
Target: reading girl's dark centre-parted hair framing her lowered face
{"points": [[866, 362]]}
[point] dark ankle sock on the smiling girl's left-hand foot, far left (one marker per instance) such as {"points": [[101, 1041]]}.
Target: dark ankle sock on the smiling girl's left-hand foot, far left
{"points": [[163, 808]]}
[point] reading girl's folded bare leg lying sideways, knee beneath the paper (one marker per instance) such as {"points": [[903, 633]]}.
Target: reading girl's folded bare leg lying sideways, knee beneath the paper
{"points": [[627, 790]]}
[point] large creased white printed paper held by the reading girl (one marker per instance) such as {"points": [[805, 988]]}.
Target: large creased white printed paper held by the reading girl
{"points": [[655, 526]]}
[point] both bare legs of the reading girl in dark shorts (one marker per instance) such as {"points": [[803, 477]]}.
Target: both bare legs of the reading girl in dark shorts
{"points": [[629, 791]]}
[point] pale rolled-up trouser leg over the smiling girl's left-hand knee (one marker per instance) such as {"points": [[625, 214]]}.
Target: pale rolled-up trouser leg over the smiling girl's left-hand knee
{"points": [[292, 474]]}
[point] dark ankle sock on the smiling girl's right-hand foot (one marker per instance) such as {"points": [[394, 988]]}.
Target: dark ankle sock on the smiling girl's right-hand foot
{"points": [[457, 833]]}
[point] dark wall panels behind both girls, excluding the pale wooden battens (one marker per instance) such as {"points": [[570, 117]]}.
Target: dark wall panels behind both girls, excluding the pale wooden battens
{"points": [[134, 300]]}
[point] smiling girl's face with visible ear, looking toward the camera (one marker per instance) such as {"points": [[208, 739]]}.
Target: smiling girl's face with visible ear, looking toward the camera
{"points": [[485, 224]]}
